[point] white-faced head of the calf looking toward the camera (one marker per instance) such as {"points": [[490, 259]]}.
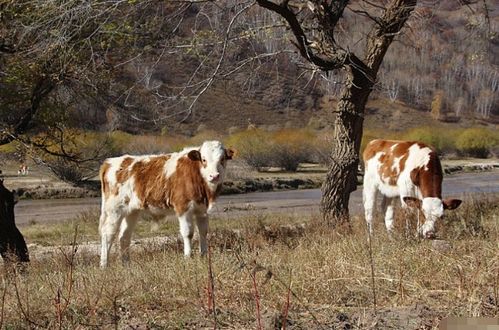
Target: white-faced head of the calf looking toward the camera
{"points": [[213, 157]]}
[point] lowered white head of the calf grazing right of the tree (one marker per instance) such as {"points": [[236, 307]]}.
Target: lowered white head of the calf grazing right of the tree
{"points": [[433, 210]]}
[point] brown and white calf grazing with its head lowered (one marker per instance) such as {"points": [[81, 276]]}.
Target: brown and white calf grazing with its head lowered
{"points": [[409, 170]]}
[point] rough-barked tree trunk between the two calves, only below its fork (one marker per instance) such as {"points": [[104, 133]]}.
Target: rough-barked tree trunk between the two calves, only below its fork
{"points": [[341, 178]]}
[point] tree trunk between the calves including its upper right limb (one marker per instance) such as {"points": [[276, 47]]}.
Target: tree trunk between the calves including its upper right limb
{"points": [[341, 178]]}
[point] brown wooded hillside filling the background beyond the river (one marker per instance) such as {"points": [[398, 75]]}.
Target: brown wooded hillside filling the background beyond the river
{"points": [[177, 67]]}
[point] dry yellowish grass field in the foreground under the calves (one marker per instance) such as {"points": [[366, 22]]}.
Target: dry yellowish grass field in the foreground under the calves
{"points": [[271, 272]]}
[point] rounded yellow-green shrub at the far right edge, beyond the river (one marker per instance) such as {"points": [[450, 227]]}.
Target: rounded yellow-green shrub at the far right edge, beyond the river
{"points": [[476, 142]]}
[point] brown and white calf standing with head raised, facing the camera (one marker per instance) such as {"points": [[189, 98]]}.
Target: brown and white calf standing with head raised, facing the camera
{"points": [[187, 182]]}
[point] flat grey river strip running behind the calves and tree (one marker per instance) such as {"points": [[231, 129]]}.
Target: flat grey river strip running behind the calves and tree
{"points": [[294, 201]]}
